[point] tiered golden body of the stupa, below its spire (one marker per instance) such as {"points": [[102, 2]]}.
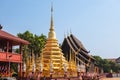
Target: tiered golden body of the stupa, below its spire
{"points": [[52, 58]]}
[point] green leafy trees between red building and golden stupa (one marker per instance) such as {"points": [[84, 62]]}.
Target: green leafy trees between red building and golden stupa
{"points": [[36, 43]]}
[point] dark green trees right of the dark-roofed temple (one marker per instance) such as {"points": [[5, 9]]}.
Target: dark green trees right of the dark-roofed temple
{"points": [[106, 65]]}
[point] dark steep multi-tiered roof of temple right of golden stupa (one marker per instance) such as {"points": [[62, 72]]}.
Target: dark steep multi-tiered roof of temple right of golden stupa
{"points": [[71, 42]]}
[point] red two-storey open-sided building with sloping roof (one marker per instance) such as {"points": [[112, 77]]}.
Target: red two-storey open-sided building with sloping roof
{"points": [[8, 55]]}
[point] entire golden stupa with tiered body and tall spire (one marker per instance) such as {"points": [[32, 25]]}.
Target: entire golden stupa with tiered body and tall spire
{"points": [[52, 58]]}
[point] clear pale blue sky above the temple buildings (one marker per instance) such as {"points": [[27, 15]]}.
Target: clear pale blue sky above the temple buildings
{"points": [[96, 23]]}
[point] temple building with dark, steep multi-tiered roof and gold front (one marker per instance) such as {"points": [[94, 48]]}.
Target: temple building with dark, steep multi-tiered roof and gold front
{"points": [[75, 52]]}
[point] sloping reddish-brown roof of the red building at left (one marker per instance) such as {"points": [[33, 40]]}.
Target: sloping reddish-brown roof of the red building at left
{"points": [[4, 36]]}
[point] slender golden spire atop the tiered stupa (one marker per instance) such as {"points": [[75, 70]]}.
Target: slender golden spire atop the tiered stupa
{"points": [[51, 34]]}
